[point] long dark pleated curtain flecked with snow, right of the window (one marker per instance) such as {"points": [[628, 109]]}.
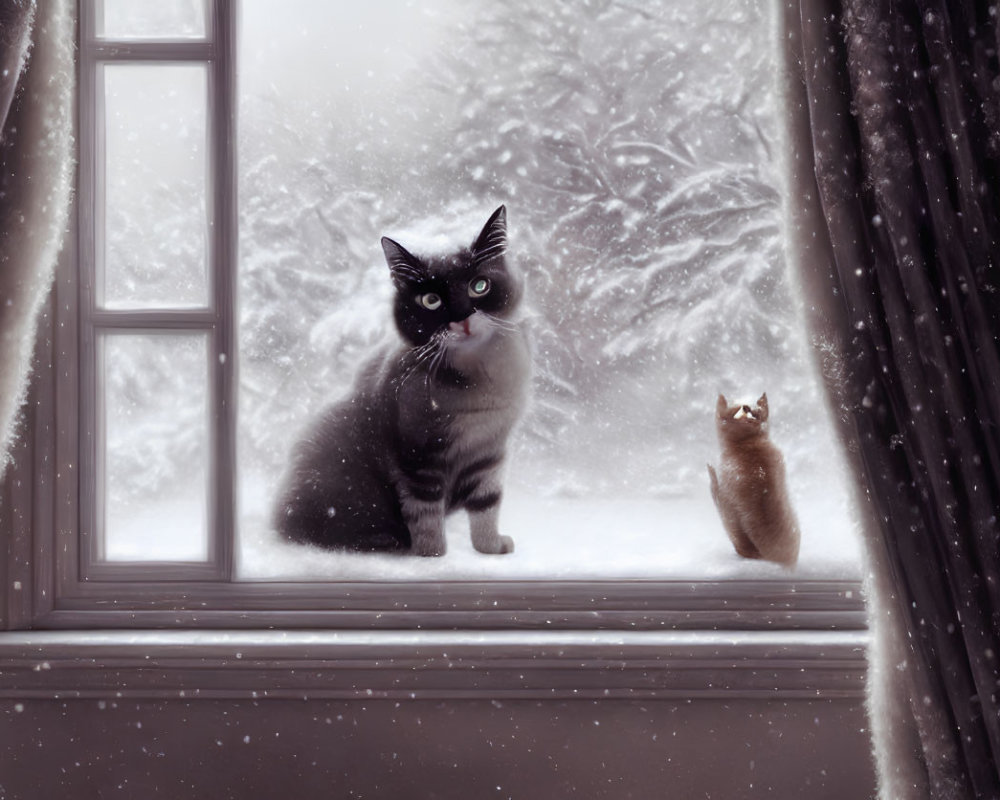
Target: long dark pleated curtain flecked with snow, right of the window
{"points": [[894, 192]]}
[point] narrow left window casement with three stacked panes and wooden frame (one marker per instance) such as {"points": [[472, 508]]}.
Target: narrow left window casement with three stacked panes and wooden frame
{"points": [[156, 261]]}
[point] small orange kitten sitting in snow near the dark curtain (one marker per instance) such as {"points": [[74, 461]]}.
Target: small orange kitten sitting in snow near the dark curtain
{"points": [[750, 490]]}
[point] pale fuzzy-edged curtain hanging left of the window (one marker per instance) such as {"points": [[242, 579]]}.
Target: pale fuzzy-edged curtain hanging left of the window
{"points": [[36, 167]]}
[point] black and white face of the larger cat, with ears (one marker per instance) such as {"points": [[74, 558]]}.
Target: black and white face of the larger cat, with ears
{"points": [[454, 297]]}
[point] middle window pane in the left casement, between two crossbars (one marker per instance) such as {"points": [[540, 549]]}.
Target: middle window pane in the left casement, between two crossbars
{"points": [[156, 220]]}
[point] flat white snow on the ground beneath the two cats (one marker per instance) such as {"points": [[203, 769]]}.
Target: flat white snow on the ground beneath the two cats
{"points": [[575, 538]]}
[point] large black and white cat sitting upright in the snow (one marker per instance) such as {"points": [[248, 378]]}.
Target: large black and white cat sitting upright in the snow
{"points": [[425, 429]]}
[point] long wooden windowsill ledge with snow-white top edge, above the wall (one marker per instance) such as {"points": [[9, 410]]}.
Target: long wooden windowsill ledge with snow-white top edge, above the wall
{"points": [[433, 664]]}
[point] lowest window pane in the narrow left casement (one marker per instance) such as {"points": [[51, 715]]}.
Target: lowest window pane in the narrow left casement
{"points": [[156, 462]]}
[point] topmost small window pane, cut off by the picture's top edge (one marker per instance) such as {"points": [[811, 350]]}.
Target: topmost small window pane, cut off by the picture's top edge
{"points": [[162, 19]]}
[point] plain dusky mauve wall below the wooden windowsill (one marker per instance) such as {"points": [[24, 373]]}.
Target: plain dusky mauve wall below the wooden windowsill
{"points": [[183, 748]]}
